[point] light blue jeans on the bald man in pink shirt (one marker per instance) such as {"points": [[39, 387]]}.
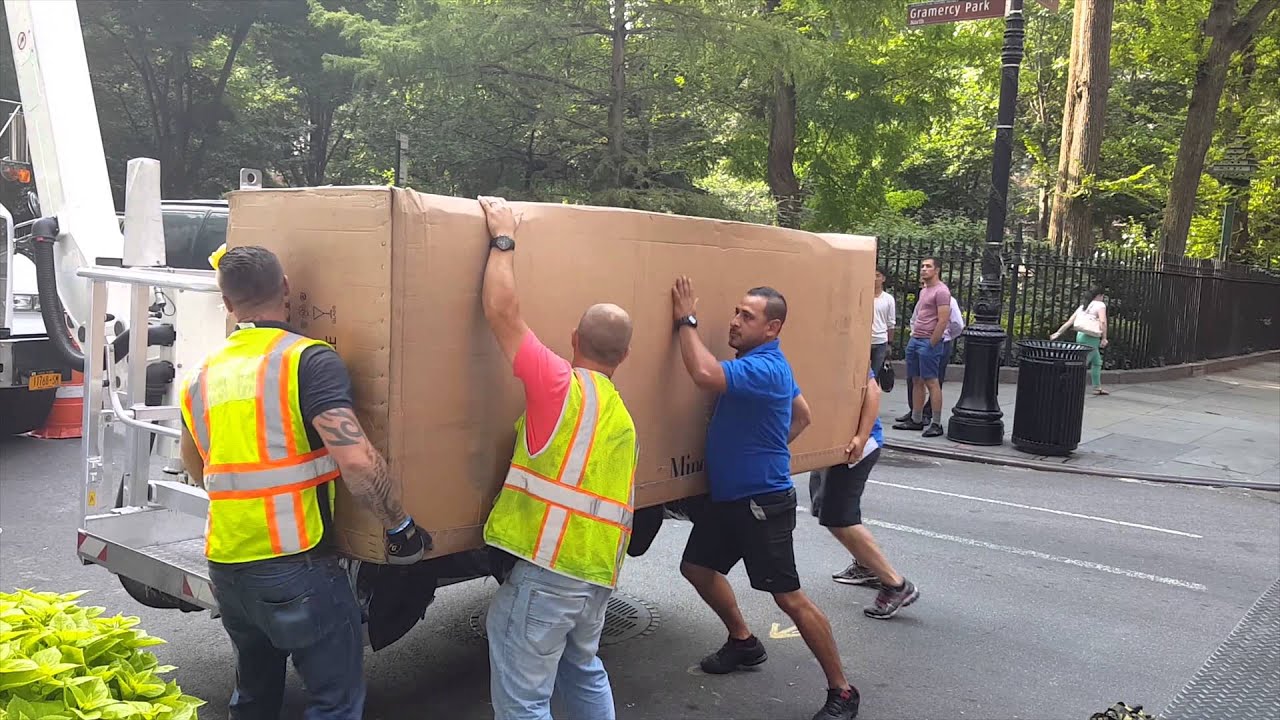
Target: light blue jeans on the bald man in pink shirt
{"points": [[545, 631]]}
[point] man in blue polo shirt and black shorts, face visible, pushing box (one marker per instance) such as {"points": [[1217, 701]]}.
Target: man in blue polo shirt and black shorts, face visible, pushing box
{"points": [[752, 511]]}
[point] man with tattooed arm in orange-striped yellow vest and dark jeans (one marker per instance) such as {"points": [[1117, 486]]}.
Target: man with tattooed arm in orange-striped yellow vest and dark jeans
{"points": [[268, 430]]}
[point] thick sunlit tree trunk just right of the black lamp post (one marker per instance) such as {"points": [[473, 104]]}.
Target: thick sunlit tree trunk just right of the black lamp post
{"points": [[1084, 120]]}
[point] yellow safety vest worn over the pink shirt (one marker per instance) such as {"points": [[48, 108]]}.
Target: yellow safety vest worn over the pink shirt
{"points": [[569, 508]]}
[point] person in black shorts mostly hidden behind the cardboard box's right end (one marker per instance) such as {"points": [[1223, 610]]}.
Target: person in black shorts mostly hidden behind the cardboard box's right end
{"points": [[836, 500]]}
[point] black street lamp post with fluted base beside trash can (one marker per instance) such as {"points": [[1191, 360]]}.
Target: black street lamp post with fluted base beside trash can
{"points": [[977, 418]]}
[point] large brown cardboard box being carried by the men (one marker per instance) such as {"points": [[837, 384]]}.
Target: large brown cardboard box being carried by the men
{"points": [[392, 279]]}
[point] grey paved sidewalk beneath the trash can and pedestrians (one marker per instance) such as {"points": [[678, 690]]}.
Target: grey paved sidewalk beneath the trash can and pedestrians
{"points": [[1217, 427]]}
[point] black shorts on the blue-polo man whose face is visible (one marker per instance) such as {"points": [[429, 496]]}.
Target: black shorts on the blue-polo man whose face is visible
{"points": [[755, 530]]}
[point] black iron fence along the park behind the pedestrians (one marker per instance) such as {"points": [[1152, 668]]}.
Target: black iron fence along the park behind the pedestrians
{"points": [[1162, 311]]}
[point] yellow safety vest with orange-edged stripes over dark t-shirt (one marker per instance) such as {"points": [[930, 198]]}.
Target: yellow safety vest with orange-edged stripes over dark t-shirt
{"points": [[262, 473]]}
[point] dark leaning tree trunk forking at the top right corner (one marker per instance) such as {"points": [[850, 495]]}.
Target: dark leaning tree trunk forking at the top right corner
{"points": [[1228, 37]]}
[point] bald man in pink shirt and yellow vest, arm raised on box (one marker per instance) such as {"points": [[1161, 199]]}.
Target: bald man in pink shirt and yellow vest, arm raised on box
{"points": [[565, 511]]}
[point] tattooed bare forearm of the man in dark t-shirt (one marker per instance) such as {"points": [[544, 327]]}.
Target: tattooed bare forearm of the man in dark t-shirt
{"points": [[363, 467]]}
